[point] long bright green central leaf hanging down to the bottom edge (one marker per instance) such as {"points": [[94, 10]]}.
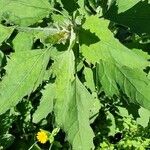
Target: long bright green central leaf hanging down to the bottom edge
{"points": [[72, 104]]}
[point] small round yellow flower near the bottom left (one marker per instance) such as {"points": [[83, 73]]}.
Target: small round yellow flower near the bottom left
{"points": [[42, 137]]}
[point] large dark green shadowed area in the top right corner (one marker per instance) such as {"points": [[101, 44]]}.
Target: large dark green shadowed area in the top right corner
{"points": [[136, 18]]}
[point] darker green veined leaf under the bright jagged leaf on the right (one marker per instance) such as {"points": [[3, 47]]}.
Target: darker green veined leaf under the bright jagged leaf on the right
{"points": [[132, 82]]}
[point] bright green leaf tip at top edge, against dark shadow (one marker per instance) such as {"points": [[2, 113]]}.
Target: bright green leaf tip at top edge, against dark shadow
{"points": [[124, 5]]}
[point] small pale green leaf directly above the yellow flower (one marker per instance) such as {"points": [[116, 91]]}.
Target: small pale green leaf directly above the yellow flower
{"points": [[46, 103]]}
